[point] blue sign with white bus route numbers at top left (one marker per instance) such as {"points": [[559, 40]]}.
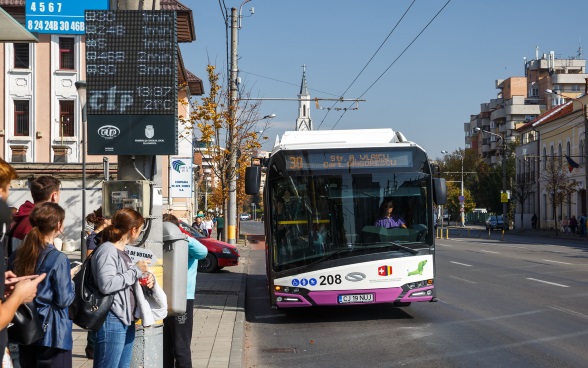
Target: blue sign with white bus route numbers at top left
{"points": [[60, 17]]}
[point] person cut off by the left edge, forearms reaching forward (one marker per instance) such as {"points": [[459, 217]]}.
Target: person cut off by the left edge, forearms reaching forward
{"points": [[16, 290]]}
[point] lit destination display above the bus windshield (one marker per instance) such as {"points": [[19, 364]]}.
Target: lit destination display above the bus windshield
{"points": [[347, 159]]}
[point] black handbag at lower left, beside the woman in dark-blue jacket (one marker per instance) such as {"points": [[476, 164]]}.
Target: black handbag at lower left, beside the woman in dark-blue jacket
{"points": [[27, 326]]}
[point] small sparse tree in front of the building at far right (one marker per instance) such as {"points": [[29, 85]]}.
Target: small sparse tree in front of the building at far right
{"points": [[558, 184]]}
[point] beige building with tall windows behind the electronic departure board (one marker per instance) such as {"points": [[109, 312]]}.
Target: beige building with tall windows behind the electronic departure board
{"points": [[41, 129]]}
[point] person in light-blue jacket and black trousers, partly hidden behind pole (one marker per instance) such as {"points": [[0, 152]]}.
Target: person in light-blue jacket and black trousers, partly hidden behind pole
{"points": [[177, 330]]}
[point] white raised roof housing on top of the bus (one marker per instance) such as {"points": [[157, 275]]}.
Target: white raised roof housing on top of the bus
{"points": [[315, 139]]}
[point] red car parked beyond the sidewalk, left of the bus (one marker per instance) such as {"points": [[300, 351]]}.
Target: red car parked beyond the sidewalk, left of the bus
{"points": [[220, 254]]}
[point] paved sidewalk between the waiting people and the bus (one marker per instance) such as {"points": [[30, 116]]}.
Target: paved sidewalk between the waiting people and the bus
{"points": [[219, 318]]}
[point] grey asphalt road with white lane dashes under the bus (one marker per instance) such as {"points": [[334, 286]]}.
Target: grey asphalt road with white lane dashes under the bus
{"points": [[501, 304]]}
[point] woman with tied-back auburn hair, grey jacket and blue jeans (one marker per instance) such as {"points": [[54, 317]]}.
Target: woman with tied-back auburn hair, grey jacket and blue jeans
{"points": [[115, 273]]}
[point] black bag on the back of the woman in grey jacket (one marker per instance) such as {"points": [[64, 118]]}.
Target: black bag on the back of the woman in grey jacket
{"points": [[90, 306]]}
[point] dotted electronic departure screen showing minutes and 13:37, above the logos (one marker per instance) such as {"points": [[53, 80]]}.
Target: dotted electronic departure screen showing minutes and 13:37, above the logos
{"points": [[131, 62]]}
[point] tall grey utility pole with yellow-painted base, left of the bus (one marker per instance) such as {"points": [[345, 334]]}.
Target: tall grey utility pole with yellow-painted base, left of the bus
{"points": [[232, 205]]}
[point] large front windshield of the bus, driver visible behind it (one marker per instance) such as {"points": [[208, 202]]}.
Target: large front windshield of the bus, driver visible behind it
{"points": [[325, 214]]}
